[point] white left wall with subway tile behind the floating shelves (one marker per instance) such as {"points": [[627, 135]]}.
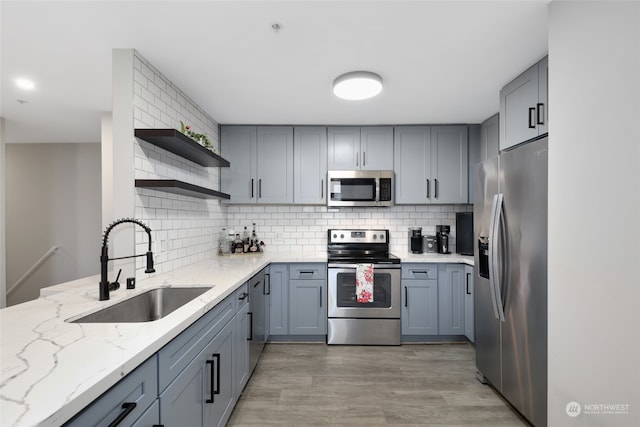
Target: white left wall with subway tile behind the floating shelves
{"points": [[184, 229]]}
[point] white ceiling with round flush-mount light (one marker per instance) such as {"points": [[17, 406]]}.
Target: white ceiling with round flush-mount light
{"points": [[442, 62]]}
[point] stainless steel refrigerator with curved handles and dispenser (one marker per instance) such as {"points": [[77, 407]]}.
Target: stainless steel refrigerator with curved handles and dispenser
{"points": [[510, 226]]}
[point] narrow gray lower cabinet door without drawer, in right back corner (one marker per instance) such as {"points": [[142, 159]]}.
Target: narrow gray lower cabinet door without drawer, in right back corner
{"points": [[451, 299]]}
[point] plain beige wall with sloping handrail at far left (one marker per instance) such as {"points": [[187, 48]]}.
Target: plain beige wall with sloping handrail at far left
{"points": [[52, 198]]}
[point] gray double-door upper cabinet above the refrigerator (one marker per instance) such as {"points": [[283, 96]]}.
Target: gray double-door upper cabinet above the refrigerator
{"points": [[524, 106]]}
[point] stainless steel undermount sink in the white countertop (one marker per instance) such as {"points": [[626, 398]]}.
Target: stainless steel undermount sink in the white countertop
{"points": [[148, 306]]}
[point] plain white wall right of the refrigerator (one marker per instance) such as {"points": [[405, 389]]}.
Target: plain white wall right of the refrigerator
{"points": [[594, 212]]}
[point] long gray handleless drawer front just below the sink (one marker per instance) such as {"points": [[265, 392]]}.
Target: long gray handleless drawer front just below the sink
{"points": [[177, 354]]}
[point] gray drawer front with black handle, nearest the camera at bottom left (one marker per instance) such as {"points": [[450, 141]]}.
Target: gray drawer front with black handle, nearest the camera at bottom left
{"points": [[139, 388]]}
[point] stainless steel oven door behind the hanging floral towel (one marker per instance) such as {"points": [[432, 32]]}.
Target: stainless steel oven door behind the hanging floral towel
{"points": [[342, 293]]}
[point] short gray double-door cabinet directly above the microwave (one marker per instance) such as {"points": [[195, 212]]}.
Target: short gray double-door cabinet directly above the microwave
{"points": [[356, 148]]}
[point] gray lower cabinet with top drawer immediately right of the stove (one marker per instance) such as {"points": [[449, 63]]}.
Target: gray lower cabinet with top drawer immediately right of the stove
{"points": [[419, 299]]}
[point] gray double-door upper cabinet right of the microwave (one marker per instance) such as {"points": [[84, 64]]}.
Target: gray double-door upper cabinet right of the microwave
{"points": [[431, 164]]}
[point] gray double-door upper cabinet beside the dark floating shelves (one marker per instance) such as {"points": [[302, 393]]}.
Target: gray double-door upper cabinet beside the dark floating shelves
{"points": [[262, 170]]}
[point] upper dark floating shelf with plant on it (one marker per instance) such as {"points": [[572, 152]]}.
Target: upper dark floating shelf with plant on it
{"points": [[181, 145]]}
